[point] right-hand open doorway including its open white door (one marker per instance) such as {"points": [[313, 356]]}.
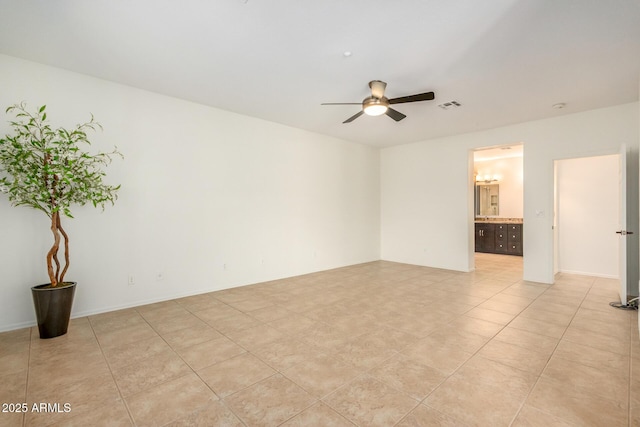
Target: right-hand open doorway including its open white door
{"points": [[596, 220]]}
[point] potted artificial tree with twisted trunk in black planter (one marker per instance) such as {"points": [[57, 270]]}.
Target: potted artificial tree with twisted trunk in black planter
{"points": [[47, 169]]}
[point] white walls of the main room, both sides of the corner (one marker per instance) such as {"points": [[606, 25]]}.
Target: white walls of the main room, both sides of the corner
{"points": [[205, 188]]}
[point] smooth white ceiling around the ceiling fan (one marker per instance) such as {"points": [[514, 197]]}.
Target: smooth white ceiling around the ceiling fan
{"points": [[504, 61]]}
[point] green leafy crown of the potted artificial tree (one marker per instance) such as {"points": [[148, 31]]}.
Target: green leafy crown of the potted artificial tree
{"points": [[47, 169]]}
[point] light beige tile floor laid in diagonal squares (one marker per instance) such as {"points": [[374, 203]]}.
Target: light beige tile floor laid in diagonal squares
{"points": [[376, 344]]}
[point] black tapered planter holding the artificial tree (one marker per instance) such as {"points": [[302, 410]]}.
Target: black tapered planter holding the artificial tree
{"points": [[53, 308]]}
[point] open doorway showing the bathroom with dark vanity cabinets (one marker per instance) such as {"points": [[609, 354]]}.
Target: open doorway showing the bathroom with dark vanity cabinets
{"points": [[498, 194]]}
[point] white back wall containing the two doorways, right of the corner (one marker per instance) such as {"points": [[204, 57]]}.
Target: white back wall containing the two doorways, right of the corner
{"points": [[426, 217]]}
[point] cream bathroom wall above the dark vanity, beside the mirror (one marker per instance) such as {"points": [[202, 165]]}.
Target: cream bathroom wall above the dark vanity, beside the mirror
{"points": [[510, 171]]}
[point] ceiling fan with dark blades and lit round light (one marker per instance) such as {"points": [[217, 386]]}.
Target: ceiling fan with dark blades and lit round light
{"points": [[377, 104]]}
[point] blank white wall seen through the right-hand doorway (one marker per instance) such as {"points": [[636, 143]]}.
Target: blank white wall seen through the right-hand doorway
{"points": [[588, 215]]}
